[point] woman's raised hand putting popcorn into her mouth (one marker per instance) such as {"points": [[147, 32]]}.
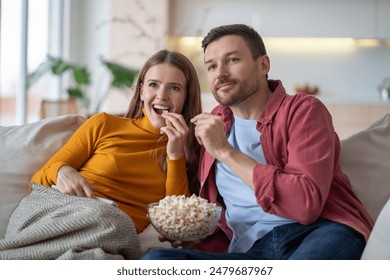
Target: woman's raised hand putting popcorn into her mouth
{"points": [[177, 131]]}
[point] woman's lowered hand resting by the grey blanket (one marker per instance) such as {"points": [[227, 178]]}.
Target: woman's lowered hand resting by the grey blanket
{"points": [[69, 181]]}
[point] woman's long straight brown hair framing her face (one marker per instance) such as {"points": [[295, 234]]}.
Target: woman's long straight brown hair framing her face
{"points": [[192, 105]]}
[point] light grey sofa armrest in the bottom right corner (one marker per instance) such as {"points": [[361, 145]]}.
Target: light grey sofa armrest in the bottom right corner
{"points": [[377, 247]]}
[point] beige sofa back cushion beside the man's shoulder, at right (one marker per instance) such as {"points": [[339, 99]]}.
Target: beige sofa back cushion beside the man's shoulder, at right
{"points": [[365, 158]]}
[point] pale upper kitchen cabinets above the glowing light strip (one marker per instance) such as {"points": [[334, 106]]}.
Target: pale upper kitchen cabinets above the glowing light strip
{"points": [[285, 18]]}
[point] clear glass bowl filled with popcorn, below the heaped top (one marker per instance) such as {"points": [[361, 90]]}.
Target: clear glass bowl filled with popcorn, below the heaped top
{"points": [[184, 223]]}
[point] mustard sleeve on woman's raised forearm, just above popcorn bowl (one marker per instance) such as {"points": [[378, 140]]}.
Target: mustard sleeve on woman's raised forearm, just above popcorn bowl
{"points": [[177, 182]]}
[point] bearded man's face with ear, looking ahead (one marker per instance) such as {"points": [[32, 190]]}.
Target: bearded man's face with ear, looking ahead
{"points": [[233, 75]]}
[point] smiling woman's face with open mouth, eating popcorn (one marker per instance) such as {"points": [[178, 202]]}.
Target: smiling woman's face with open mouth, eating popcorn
{"points": [[164, 88]]}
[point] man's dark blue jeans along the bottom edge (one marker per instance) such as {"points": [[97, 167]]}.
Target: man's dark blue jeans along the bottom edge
{"points": [[322, 240]]}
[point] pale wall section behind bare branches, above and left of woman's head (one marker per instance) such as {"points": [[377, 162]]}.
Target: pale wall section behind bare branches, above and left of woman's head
{"points": [[138, 29]]}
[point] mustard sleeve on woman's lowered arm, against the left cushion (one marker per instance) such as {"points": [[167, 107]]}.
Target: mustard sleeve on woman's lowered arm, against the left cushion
{"points": [[74, 153]]}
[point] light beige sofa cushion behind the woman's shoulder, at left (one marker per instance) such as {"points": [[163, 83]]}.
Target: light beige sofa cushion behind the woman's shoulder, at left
{"points": [[24, 150]]}
